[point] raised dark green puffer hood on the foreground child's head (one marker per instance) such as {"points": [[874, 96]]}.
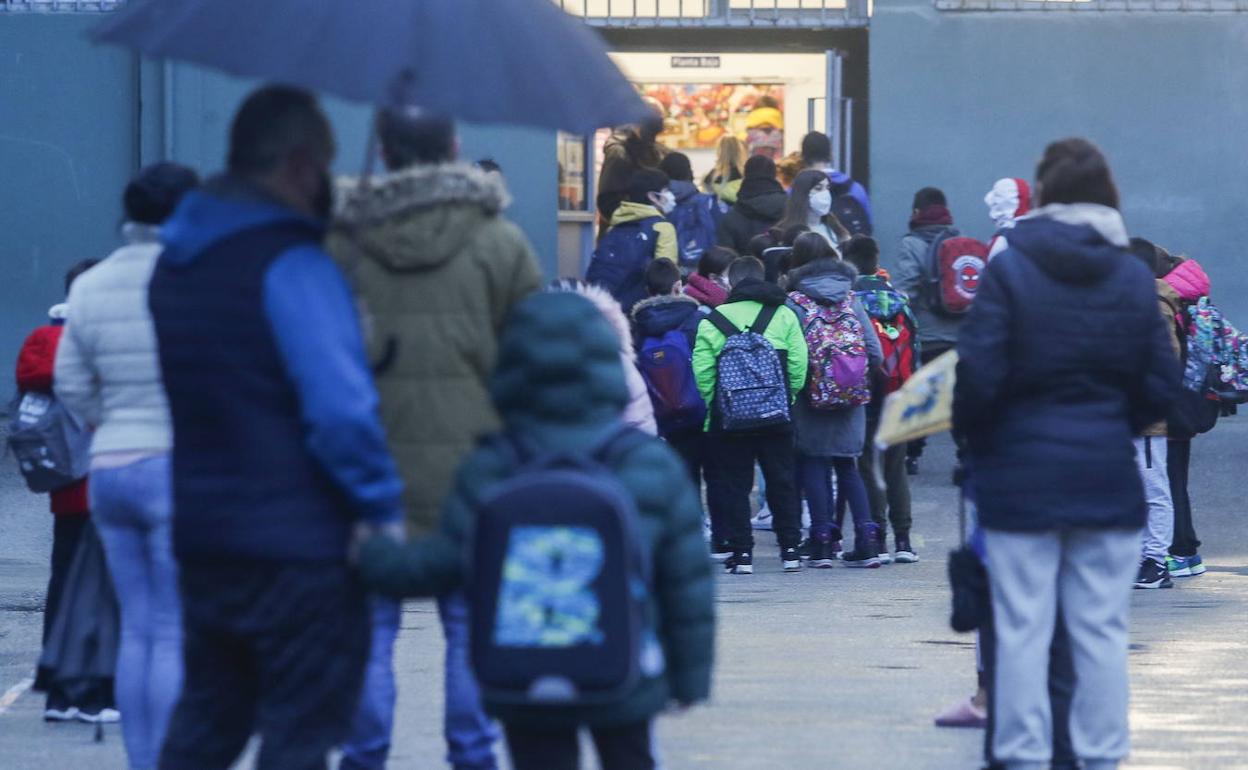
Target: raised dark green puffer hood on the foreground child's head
{"points": [[560, 366]]}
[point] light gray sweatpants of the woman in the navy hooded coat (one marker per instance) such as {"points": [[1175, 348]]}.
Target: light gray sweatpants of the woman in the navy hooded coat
{"points": [[1091, 572]]}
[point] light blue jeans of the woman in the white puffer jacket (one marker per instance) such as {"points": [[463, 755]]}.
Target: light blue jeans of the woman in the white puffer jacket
{"points": [[133, 511]]}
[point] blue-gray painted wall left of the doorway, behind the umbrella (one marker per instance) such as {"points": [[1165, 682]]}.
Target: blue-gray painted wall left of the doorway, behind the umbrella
{"points": [[77, 122]]}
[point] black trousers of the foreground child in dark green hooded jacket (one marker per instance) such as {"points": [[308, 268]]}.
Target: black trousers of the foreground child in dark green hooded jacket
{"points": [[626, 748]]}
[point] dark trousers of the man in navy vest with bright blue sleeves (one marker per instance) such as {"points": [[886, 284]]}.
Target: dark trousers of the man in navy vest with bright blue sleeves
{"points": [[271, 650]]}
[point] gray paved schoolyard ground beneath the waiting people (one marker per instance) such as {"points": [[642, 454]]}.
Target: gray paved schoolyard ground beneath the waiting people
{"points": [[824, 670]]}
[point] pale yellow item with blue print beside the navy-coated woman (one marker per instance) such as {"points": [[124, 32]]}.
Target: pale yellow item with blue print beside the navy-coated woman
{"points": [[923, 407]]}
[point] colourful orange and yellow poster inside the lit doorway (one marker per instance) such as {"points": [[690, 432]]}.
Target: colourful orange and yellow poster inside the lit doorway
{"points": [[698, 115]]}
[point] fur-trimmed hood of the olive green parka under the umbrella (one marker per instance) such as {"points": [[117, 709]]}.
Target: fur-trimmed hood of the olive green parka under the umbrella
{"points": [[420, 218]]}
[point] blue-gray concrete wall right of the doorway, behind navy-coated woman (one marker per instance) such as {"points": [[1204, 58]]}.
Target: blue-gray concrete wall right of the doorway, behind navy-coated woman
{"points": [[962, 99]]}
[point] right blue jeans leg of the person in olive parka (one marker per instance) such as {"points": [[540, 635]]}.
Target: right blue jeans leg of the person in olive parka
{"points": [[471, 734]]}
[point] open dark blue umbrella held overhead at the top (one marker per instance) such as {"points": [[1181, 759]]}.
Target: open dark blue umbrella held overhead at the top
{"points": [[514, 62]]}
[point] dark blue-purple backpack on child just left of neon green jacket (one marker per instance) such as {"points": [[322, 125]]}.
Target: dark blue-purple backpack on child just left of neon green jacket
{"points": [[667, 366]]}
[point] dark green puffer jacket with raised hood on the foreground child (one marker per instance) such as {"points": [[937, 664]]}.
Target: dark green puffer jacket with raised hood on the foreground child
{"points": [[560, 385]]}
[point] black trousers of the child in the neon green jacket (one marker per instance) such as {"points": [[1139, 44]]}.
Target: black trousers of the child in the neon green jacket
{"points": [[731, 479]]}
